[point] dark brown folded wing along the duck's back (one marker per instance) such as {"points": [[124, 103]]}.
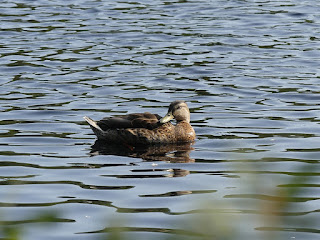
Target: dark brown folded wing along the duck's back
{"points": [[135, 120]]}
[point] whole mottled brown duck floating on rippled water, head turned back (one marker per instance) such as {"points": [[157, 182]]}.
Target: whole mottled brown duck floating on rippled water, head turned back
{"points": [[146, 128]]}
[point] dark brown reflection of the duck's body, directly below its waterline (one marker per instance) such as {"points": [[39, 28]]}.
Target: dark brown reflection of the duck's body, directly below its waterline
{"points": [[174, 153]]}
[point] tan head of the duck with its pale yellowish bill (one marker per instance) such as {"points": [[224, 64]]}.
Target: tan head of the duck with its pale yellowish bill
{"points": [[179, 111]]}
